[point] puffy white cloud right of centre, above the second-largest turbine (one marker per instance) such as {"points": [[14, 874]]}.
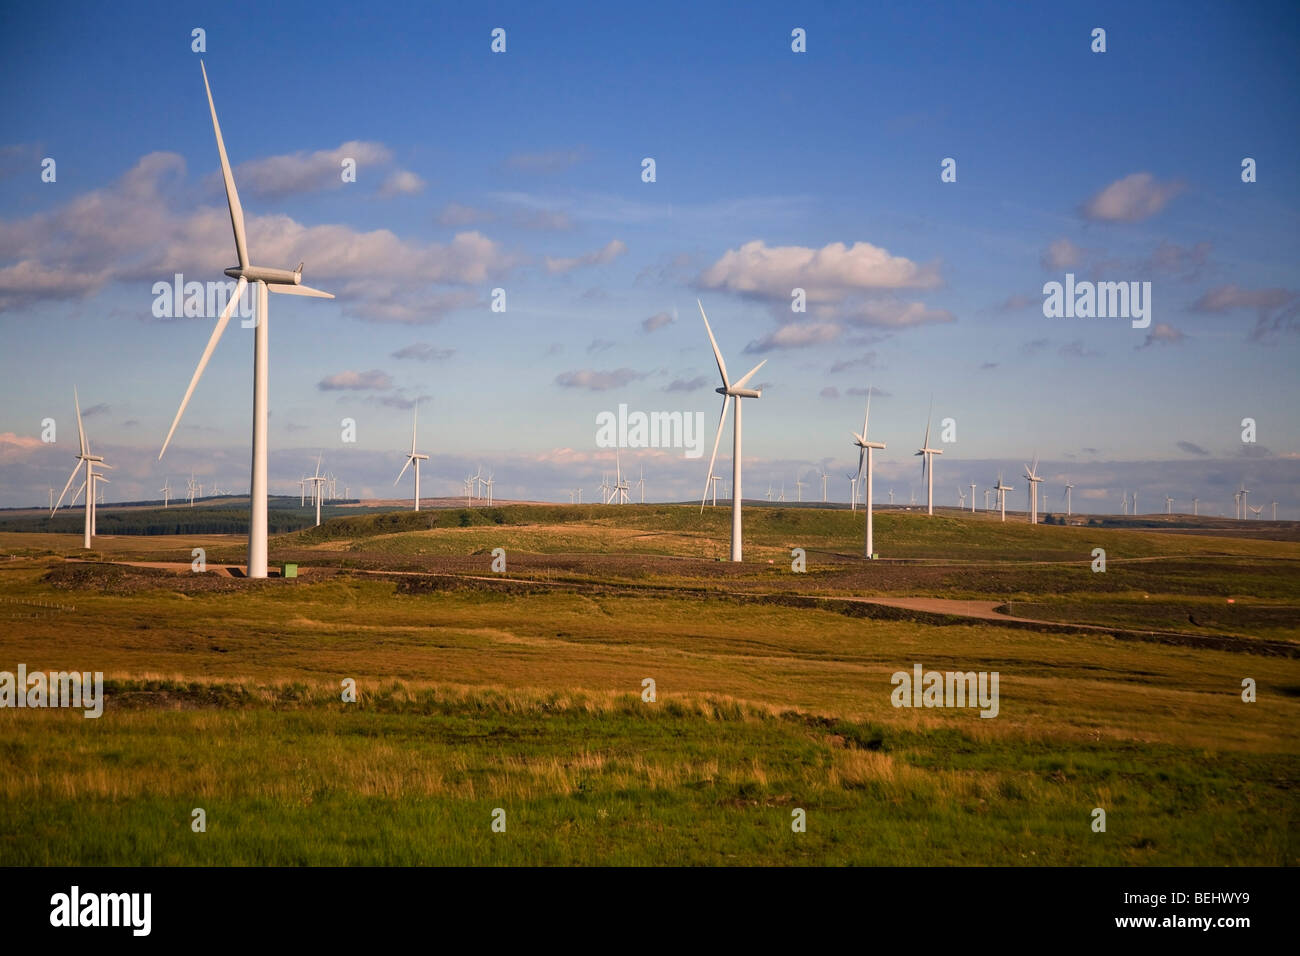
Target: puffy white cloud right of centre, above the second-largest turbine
{"points": [[827, 275]]}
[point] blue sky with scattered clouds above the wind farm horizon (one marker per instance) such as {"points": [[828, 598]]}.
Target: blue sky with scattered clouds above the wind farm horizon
{"points": [[523, 171]]}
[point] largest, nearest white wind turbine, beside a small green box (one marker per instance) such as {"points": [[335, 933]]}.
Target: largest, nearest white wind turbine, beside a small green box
{"points": [[267, 280]]}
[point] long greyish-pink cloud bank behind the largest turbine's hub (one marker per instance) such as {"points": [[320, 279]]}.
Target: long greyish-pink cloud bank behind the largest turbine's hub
{"points": [[128, 232]]}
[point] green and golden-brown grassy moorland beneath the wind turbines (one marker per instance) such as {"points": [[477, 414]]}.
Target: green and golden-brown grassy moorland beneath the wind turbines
{"points": [[523, 691]]}
